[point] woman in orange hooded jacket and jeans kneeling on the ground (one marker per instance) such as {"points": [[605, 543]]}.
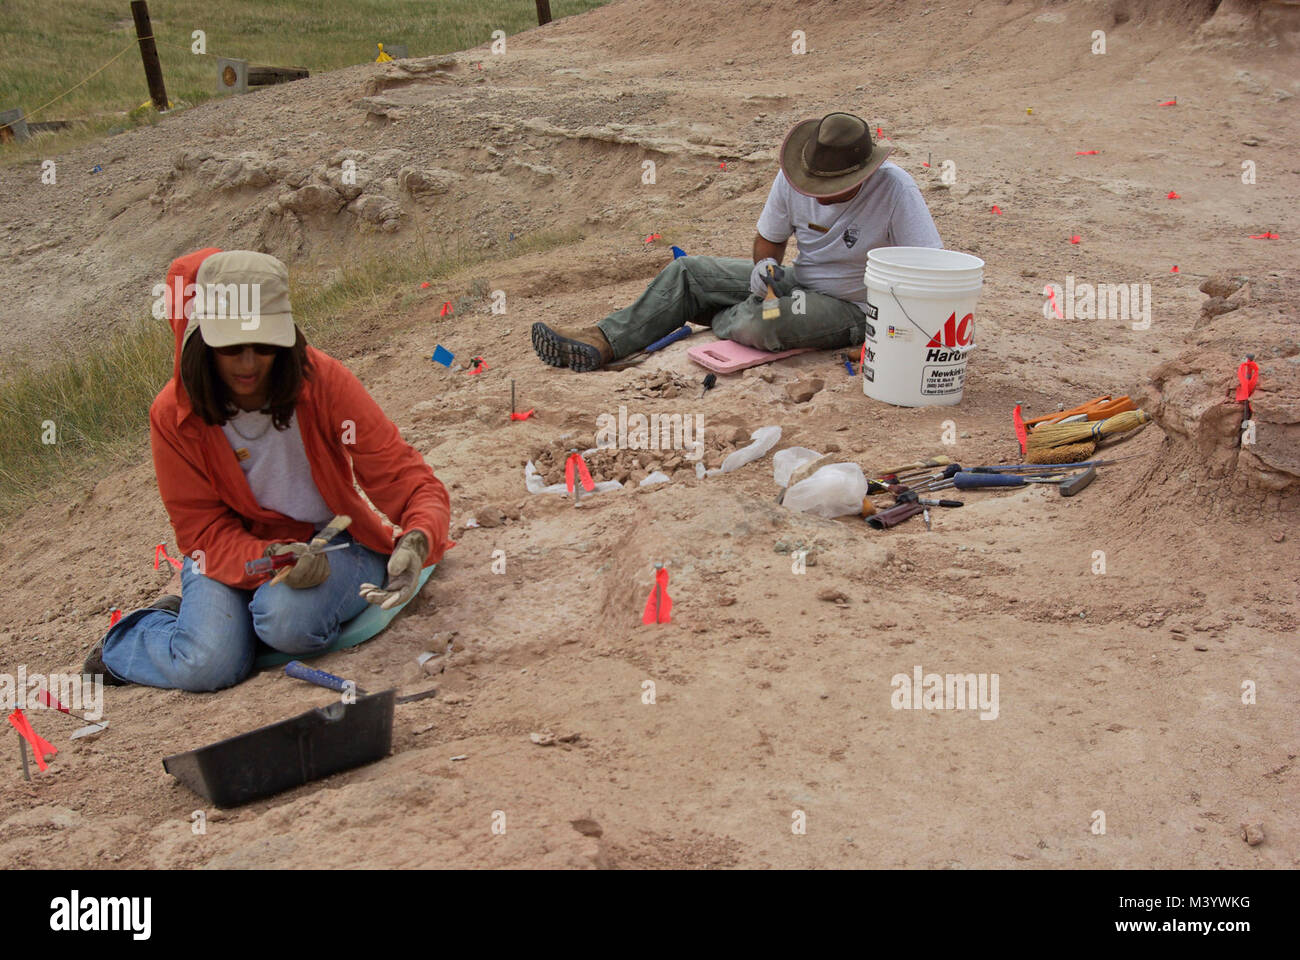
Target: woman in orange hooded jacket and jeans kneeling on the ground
{"points": [[257, 442]]}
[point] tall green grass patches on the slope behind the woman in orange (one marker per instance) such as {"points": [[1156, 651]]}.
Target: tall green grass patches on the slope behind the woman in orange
{"points": [[99, 403]]}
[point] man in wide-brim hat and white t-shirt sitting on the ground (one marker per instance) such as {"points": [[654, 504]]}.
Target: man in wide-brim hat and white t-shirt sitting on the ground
{"points": [[838, 197]]}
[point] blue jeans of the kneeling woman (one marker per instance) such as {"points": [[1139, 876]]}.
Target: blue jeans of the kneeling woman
{"points": [[213, 642]]}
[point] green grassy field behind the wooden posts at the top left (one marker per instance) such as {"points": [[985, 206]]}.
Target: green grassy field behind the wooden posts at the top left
{"points": [[47, 49]]}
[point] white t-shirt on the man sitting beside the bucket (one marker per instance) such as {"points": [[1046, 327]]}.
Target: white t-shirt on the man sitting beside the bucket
{"points": [[889, 211]]}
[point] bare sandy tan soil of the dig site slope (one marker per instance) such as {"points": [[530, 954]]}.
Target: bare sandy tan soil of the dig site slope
{"points": [[1120, 693]]}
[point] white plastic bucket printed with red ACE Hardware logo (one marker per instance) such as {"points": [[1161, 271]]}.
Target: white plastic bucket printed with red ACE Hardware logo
{"points": [[921, 325]]}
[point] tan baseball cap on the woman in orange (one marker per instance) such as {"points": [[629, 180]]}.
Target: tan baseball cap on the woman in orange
{"points": [[242, 297]]}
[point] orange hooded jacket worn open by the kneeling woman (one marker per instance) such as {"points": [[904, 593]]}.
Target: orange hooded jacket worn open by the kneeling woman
{"points": [[207, 496]]}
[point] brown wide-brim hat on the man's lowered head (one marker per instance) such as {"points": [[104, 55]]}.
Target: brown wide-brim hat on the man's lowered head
{"points": [[824, 158]]}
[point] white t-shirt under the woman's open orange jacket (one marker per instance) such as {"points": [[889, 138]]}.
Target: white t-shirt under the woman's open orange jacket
{"points": [[275, 462]]}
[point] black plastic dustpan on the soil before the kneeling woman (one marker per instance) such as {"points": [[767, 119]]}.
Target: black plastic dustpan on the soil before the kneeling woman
{"points": [[289, 754]]}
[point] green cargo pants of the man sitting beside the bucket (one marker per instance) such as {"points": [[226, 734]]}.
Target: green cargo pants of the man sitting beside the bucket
{"points": [[714, 291]]}
